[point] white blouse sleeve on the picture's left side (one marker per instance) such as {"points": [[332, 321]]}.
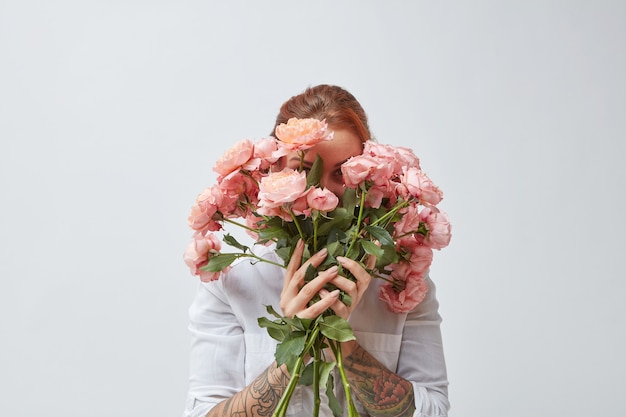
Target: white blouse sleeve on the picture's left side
{"points": [[216, 338]]}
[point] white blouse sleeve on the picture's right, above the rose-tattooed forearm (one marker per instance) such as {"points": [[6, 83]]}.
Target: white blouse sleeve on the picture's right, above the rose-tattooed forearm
{"points": [[421, 359]]}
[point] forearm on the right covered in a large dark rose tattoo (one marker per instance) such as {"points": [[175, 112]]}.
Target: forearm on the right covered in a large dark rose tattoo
{"points": [[382, 393]]}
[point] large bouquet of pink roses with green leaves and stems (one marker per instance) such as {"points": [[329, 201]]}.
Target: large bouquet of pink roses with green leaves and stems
{"points": [[388, 211]]}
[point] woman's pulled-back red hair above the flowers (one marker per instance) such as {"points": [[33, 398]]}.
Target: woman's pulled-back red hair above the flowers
{"points": [[327, 102]]}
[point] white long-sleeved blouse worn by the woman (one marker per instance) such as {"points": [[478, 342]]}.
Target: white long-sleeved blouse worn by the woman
{"points": [[229, 349]]}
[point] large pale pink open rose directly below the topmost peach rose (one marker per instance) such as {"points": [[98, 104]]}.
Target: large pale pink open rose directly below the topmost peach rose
{"points": [[281, 187]]}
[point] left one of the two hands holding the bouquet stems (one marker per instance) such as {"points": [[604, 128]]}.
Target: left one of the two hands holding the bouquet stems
{"points": [[296, 295]]}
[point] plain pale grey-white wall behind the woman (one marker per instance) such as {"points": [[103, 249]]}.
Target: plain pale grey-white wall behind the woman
{"points": [[112, 114]]}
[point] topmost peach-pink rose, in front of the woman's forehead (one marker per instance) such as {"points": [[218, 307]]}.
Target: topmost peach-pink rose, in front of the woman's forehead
{"points": [[301, 134]]}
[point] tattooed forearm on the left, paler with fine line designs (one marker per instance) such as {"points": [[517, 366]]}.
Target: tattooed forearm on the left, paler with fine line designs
{"points": [[260, 398]]}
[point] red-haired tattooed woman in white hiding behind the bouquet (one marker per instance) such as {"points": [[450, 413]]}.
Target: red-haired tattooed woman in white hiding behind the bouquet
{"points": [[395, 366]]}
